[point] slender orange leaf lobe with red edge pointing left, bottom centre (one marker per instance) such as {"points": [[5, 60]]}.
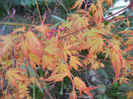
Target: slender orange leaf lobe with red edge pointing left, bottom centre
{"points": [[57, 77]]}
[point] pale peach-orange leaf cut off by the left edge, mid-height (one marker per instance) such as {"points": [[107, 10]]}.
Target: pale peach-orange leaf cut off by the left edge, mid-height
{"points": [[5, 44]]}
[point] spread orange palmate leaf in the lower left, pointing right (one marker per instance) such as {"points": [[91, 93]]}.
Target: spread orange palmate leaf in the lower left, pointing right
{"points": [[14, 74]]}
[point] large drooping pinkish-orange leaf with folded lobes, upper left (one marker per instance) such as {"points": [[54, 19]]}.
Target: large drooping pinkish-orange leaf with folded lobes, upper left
{"points": [[30, 43]]}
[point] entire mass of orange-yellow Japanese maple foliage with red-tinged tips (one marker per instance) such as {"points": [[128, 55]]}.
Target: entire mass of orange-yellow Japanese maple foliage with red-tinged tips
{"points": [[50, 50]]}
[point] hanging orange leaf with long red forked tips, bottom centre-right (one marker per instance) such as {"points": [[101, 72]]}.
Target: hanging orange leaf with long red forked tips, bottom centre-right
{"points": [[80, 85]]}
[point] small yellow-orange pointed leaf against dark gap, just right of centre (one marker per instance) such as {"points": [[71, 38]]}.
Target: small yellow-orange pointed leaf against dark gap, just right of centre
{"points": [[74, 62]]}
